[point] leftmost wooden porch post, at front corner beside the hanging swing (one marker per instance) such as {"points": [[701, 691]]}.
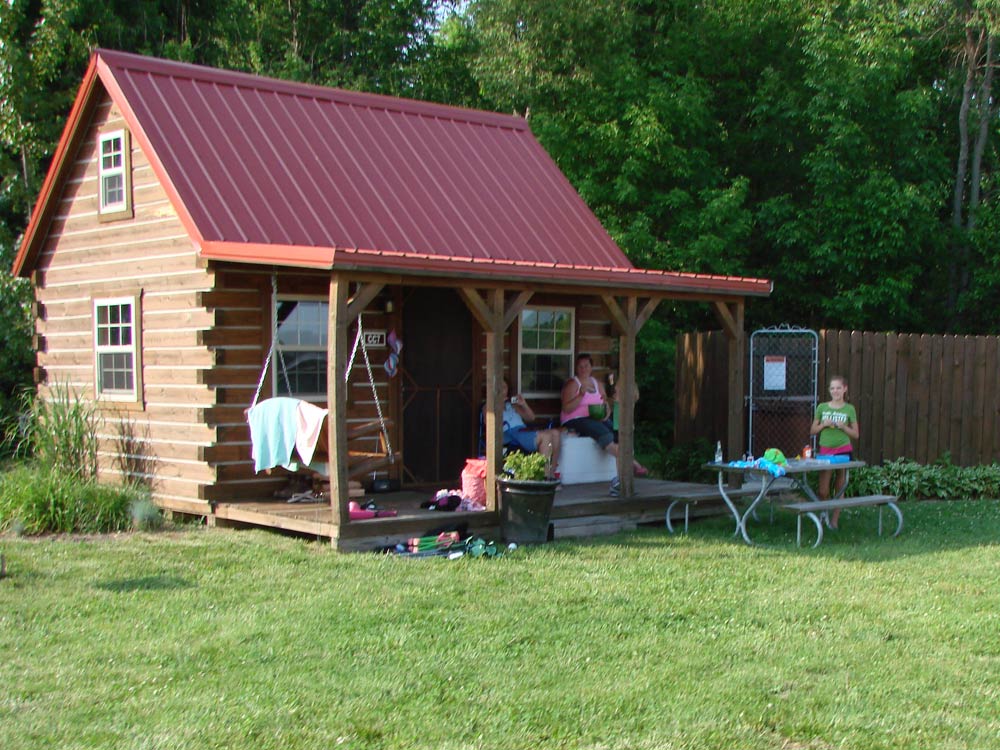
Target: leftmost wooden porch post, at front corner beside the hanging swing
{"points": [[336, 398]]}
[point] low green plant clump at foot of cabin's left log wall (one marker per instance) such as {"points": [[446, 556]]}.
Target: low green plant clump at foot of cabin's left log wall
{"points": [[40, 499]]}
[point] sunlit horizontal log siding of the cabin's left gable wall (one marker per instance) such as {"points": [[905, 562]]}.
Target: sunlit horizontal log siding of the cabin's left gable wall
{"points": [[150, 255]]}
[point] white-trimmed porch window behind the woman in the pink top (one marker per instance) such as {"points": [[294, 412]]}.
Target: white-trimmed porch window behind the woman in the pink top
{"points": [[546, 349]]}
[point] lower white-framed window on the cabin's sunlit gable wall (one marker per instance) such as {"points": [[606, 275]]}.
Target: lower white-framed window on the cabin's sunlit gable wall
{"points": [[115, 348]]}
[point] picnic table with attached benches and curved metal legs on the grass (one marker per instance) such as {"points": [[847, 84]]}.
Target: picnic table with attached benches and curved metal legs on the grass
{"points": [[796, 474]]}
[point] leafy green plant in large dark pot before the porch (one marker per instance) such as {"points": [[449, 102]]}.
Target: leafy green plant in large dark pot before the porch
{"points": [[525, 498]]}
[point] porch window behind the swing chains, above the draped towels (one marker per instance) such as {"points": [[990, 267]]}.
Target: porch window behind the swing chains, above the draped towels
{"points": [[298, 367]]}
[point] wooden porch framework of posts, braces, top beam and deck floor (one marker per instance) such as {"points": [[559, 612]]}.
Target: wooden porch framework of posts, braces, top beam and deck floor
{"points": [[495, 306]]}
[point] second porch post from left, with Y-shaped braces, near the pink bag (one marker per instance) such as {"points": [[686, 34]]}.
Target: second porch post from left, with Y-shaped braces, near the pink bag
{"points": [[495, 316]]}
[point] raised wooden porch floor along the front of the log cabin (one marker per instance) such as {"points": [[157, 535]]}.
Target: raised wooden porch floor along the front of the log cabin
{"points": [[579, 510]]}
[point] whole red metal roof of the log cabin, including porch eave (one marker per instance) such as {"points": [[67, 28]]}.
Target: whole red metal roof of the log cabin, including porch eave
{"points": [[269, 171]]}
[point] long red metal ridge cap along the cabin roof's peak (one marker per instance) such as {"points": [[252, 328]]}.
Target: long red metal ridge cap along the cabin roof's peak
{"points": [[239, 78]]}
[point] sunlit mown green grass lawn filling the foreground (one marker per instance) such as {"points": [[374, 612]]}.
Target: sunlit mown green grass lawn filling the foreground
{"points": [[221, 639]]}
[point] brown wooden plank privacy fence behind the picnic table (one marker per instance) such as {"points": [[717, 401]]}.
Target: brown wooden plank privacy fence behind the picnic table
{"points": [[918, 396]]}
